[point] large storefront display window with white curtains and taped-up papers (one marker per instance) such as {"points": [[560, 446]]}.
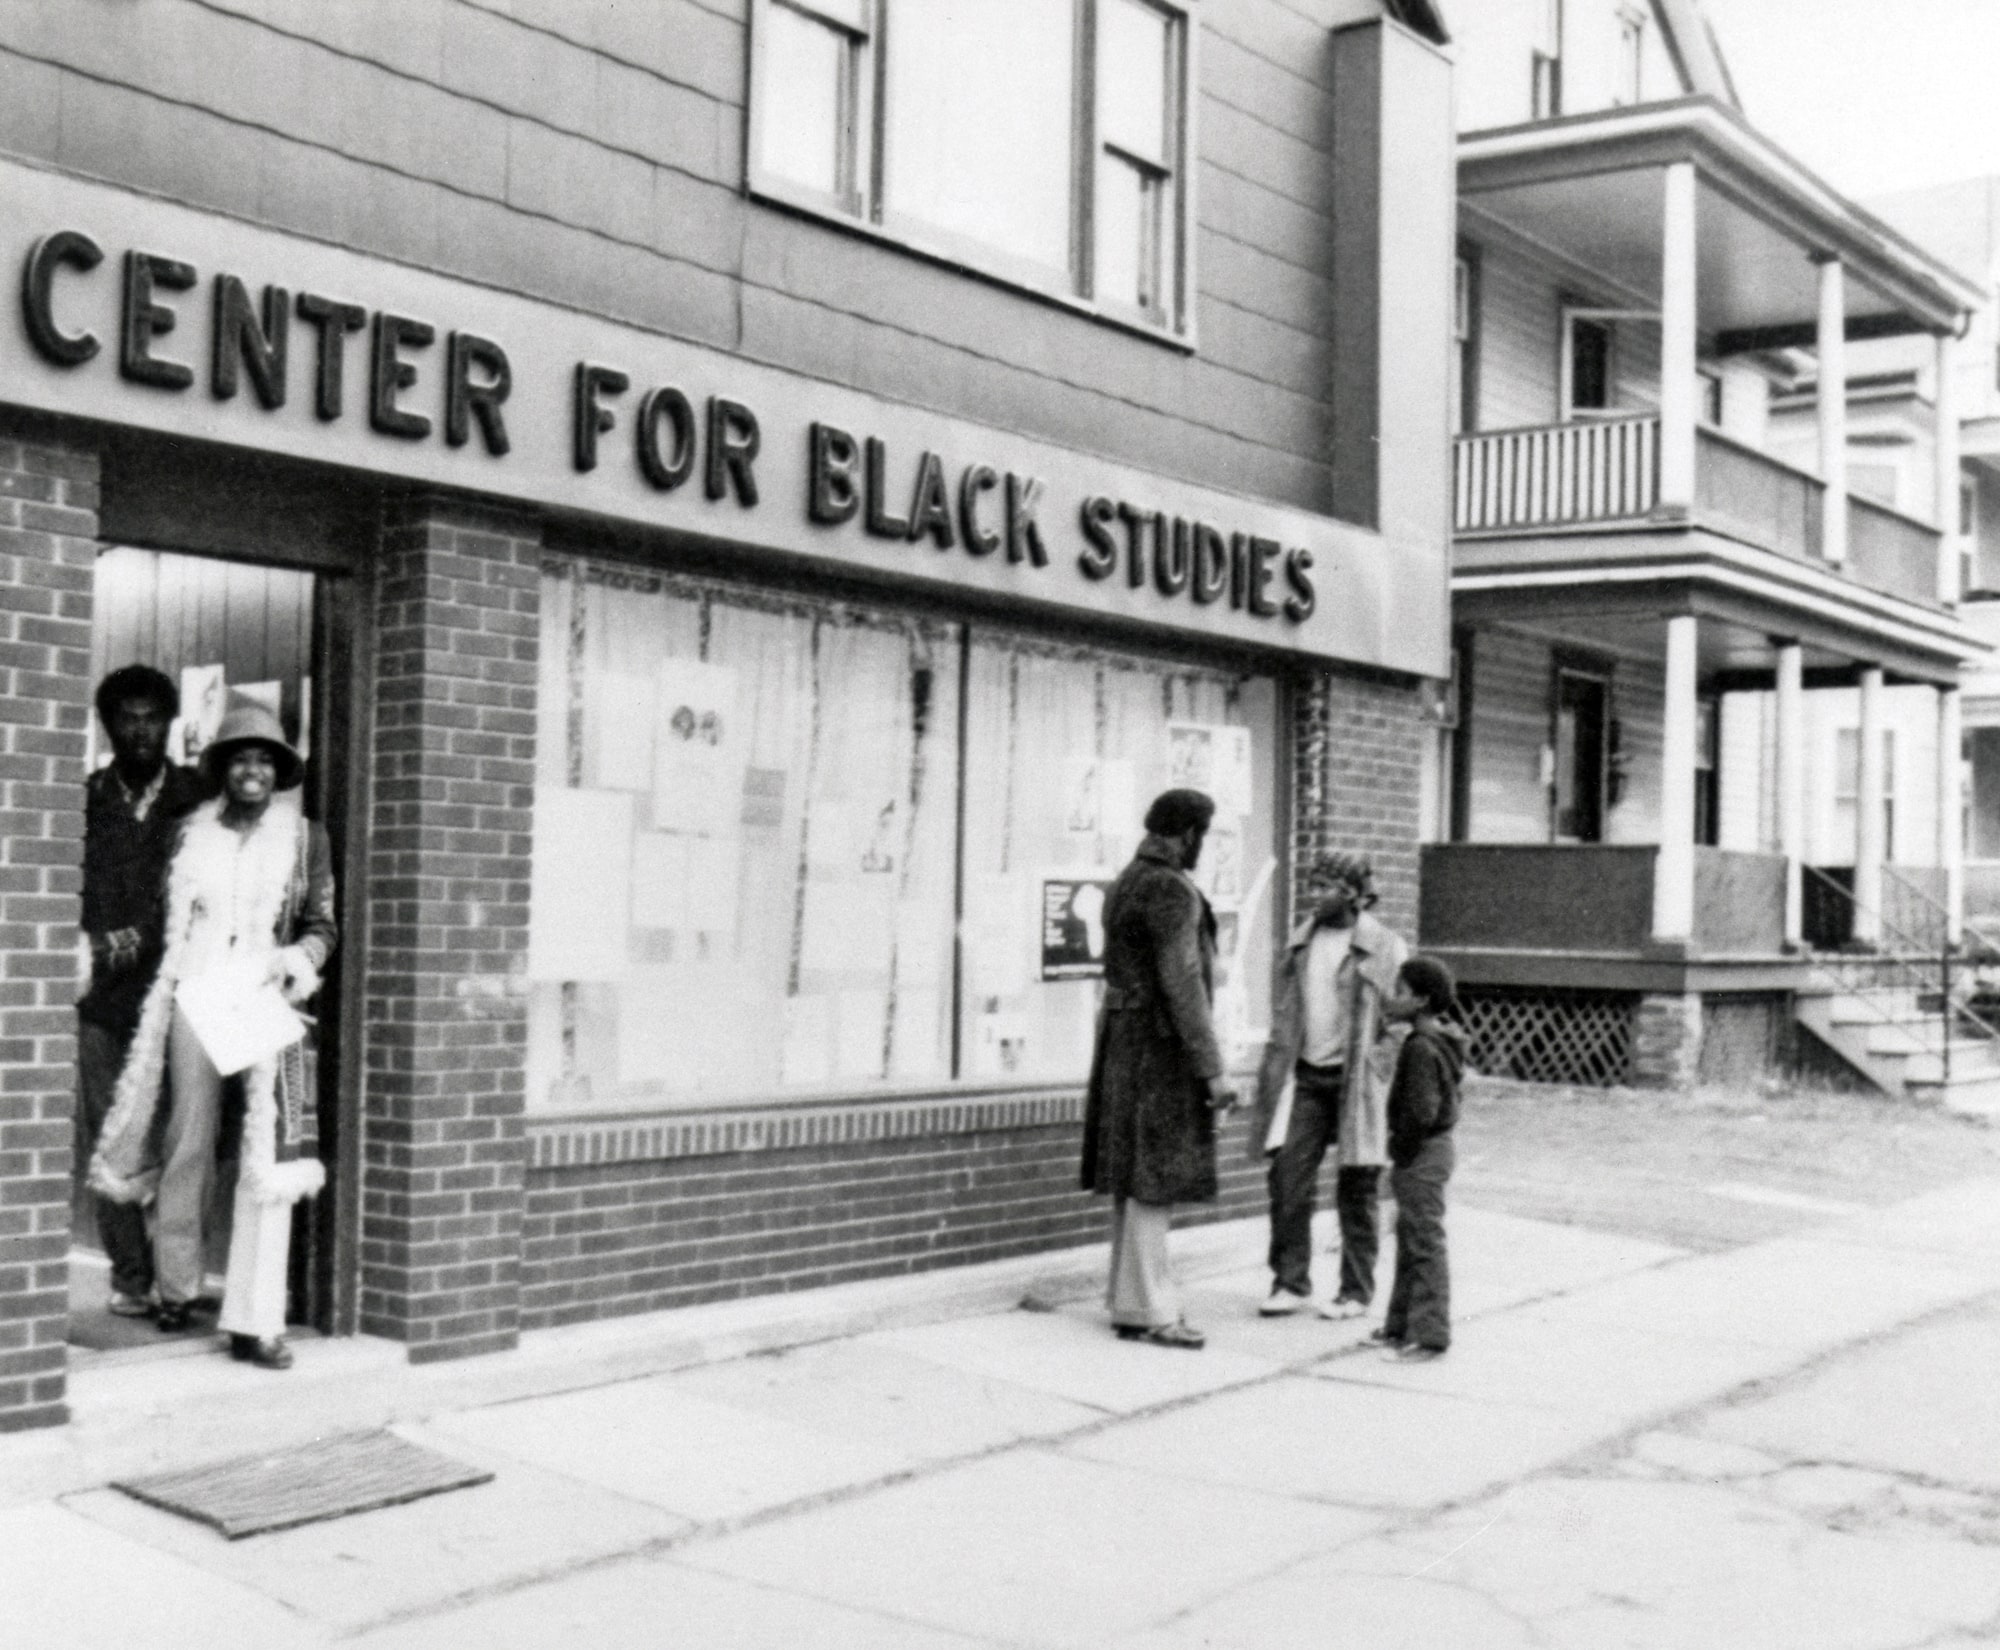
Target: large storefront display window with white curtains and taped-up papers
{"points": [[793, 847]]}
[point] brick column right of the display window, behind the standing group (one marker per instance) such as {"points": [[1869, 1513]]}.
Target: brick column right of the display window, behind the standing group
{"points": [[1357, 783]]}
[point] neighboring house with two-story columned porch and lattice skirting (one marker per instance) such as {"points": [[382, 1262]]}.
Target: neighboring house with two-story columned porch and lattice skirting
{"points": [[1653, 803]]}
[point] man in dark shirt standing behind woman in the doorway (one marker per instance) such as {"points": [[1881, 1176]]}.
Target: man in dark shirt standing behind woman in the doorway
{"points": [[133, 813]]}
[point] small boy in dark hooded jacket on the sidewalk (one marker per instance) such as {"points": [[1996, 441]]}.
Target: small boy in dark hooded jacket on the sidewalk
{"points": [[1423, 1109]]}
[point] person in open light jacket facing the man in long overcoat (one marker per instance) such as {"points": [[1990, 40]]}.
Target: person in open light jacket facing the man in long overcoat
{"points": [[1325, 1085]]}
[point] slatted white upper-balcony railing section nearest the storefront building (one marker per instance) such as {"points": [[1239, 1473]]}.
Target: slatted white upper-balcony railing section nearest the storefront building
{"points": [[1599, 471]]}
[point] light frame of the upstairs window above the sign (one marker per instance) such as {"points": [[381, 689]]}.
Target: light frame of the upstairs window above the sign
{"points": [[1071, 289]]}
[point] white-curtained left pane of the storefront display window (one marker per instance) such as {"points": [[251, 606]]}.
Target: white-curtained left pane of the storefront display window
{"points": [[757, 805]]}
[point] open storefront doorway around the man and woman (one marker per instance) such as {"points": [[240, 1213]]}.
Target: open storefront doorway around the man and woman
{"points": [[227, 631]]}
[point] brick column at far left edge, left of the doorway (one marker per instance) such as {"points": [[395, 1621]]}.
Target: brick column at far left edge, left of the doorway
{"points": [[49, 531]]}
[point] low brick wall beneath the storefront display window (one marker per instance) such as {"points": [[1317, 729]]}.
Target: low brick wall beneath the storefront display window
{"points": [[643, 1237]]}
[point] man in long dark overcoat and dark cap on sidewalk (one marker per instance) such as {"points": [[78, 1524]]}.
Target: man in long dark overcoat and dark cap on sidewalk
{"points": [[1157, 1075]]}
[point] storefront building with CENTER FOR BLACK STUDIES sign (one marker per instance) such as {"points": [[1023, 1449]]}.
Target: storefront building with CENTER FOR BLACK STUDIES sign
{"points": [[743, 503]]}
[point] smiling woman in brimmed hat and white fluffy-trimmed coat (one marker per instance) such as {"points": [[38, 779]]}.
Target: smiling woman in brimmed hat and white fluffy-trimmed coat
{"points": [[251, 889]]}
